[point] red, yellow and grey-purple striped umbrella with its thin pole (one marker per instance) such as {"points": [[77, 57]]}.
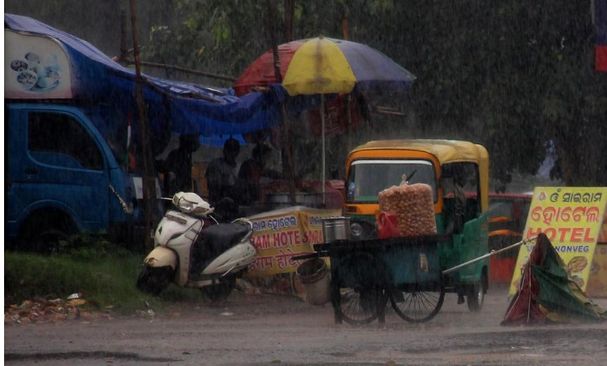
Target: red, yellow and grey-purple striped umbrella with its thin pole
{"points": [[320, 66]]}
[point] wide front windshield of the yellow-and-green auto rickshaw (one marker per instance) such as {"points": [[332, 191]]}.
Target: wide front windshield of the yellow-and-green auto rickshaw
{"points": [[369, 177]]}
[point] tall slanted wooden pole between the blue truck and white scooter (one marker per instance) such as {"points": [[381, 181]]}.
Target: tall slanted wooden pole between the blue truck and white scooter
{"points": [[149, 179]]}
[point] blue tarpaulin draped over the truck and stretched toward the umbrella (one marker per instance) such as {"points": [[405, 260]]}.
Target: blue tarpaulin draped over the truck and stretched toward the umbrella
{"points": [[176, 107]]}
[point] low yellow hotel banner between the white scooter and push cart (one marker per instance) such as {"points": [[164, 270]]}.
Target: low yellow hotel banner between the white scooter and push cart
{"points": [[281, 234]]}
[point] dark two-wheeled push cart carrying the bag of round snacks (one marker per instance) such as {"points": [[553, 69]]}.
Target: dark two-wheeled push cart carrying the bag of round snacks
{"points": [[366, 274]]}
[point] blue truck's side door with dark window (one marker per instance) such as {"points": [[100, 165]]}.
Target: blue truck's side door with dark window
{"points": [[56, 162]]}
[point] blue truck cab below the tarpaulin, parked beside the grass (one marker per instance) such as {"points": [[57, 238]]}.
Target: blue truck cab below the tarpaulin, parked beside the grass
{"points": [[63, 177]]}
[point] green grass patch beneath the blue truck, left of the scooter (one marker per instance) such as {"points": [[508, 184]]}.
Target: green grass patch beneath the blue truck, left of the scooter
{"points": [[104, 273]]}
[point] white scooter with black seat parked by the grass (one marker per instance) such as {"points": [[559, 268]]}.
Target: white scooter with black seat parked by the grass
{"points": [[192, 249]]}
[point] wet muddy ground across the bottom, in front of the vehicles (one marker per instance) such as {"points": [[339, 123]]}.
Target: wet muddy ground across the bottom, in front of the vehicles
{"points": [[283, 330]]}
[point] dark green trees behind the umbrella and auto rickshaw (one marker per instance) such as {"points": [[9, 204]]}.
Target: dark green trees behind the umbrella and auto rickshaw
{"points": [[511, 75]]}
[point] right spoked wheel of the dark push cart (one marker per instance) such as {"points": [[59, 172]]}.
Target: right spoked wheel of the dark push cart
{"points": [[417, 306]]}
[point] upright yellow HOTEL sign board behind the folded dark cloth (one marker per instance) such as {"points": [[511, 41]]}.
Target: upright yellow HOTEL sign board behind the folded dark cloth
{"points": [[571, 218]]}
